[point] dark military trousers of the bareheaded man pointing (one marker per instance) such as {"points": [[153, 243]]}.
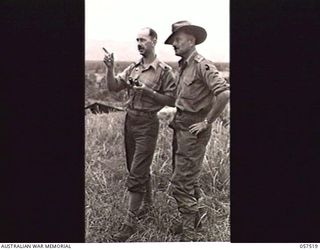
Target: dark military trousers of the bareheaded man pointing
{"points": [[141, 132]]}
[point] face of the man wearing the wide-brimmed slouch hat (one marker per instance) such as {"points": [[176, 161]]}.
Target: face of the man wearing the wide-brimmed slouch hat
{"points": [[182, 43]]}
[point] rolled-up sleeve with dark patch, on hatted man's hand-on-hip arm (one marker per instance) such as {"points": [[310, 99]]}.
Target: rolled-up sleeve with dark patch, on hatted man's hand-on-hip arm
{"points": [[213, 78]]}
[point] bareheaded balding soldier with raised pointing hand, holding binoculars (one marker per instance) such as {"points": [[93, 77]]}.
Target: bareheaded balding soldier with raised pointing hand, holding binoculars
{"points": [[151, 86]]}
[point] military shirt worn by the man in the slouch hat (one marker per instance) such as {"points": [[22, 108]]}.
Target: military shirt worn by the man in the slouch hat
{"points": [[198, 82]]}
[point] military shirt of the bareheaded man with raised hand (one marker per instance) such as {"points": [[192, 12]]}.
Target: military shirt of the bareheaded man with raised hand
{"points": [[157, 76]]}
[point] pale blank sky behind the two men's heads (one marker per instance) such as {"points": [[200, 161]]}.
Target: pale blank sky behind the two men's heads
{"points": [[114, 24]]}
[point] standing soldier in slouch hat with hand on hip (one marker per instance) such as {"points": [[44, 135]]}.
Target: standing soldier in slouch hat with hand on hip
{"points": [[201, 96]]}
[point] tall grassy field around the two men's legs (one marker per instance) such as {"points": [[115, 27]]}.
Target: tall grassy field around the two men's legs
{"points": [[106, 195]]}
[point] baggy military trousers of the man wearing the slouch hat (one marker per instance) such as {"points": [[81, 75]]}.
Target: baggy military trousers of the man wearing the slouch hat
{"points": [[188, 153]]}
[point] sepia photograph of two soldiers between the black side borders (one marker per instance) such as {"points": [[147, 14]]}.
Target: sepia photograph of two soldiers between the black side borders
{"points": [[157, 121]]}
